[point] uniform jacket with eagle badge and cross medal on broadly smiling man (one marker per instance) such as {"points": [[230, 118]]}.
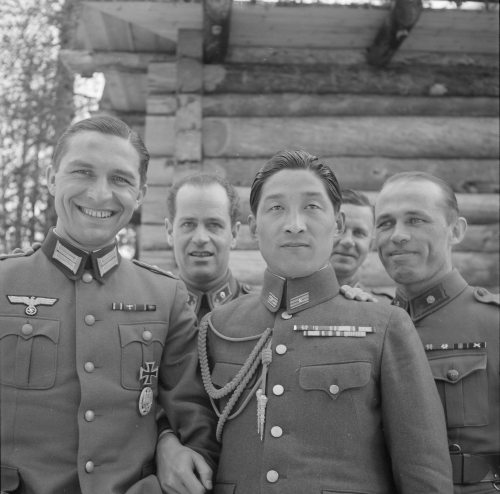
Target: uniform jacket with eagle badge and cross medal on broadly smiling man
{"points": [[81, 338]]}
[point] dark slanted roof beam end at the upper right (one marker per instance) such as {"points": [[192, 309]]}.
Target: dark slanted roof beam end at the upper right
{"points": [[402, 17]]}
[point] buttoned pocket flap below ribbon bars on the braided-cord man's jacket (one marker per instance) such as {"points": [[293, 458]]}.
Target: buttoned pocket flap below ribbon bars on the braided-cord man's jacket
{"points": [[335, 378]]}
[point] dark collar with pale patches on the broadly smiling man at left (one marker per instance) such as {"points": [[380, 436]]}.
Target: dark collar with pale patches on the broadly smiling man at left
{"points": [[73, 261]]}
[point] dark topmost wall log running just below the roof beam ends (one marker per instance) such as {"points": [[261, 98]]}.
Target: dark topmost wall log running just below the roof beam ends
{"points": [[410, 80]]}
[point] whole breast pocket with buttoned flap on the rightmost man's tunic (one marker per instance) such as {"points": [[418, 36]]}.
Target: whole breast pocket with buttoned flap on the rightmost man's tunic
{"points": [[462, 383]]}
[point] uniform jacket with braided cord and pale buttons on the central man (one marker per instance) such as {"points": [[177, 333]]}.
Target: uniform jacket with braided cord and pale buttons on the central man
{"points": [[351, 404]]}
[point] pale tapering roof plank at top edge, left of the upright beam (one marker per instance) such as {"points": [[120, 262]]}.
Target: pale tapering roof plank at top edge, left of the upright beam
{"points": [[164, 19]]}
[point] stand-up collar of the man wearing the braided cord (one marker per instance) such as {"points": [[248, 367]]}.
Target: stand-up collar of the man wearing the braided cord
{"points": [[297, 294]]}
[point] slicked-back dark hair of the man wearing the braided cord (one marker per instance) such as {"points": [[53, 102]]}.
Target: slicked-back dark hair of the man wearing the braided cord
{"points": [[296, 160]]}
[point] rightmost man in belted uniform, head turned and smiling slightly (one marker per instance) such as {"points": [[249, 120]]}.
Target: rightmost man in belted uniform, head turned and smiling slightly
{"points": [[418, 223]]}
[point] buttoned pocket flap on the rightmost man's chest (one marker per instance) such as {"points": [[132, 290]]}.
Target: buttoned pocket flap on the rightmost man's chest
{"points": [[453, 368]]}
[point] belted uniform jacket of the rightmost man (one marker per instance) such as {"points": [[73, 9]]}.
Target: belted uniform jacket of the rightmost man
{"points": [[459, 327]]}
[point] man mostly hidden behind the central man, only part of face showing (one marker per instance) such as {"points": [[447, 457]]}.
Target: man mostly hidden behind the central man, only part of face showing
{"points": [[351, 247]]}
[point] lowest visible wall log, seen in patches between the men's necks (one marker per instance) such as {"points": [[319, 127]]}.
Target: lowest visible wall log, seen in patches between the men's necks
{"points": [[248, 266]]}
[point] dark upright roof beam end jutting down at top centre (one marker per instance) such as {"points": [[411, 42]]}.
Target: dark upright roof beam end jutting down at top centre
{"points": [[216, 17]]}
